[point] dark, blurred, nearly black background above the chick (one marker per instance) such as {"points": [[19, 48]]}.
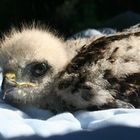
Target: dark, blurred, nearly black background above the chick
{"points": [[66, 16]]}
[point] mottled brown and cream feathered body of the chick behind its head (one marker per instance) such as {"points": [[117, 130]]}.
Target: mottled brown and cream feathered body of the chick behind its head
{"points": [[104, 74]]}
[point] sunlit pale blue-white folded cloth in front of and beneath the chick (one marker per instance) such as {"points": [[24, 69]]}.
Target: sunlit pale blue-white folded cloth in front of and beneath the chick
{"points": [[14, 122]]}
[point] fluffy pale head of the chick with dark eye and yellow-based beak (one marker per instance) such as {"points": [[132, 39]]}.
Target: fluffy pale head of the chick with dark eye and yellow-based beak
{"points": [[30, 59]]}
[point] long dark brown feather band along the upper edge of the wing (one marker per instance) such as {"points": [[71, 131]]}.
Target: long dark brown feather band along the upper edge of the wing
{"points": [[94, 51]]}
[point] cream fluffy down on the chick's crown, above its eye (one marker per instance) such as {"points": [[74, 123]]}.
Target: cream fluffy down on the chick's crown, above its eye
{"points": [[42, 44]]}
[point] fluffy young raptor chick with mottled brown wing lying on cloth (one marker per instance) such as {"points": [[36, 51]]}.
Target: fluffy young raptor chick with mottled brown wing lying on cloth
{"points": [[42, 70]]}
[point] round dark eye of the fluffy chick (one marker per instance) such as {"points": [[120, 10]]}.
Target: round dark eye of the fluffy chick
{"points": [[39, 69]]}
